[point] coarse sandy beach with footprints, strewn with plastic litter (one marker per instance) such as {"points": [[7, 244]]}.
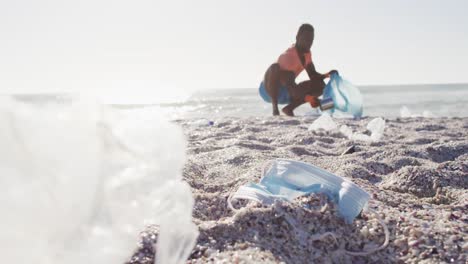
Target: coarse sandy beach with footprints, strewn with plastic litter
{"points": [[417, 175]]}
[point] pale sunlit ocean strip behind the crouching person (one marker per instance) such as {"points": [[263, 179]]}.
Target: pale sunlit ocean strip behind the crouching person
{"points": [[434, 100]]}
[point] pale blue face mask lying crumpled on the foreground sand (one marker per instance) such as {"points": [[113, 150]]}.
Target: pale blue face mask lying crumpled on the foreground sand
{"points": [[288, 179]]}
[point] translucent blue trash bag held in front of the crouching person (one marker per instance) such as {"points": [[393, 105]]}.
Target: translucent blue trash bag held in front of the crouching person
{"points": [[346, 97]]}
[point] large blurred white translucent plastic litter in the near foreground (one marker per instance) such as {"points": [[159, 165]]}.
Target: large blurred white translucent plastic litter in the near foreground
{"points": [[79, 182]]}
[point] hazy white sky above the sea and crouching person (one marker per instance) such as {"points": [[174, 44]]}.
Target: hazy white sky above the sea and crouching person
{"points": [[186, 45]]}
